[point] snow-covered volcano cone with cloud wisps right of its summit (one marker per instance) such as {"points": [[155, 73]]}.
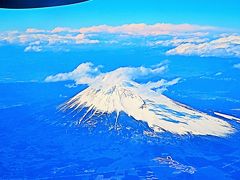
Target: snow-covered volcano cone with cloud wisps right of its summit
{"points": [[116, 92]]}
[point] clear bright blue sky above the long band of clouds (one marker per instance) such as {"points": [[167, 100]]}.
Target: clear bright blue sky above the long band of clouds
{"points": [[224, 13]]}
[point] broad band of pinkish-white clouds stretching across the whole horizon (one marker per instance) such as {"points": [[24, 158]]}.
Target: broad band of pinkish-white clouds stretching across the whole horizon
{"points": [[177, 39]]}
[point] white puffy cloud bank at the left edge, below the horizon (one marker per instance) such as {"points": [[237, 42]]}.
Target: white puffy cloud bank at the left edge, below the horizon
{"points": [[45, 39]]}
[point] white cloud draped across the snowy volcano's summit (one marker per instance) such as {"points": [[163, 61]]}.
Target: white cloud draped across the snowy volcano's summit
{"points": [[87, 73]]}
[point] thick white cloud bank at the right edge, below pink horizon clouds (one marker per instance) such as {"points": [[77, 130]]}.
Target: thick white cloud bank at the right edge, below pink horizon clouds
{"points": [[223, 46]]}
